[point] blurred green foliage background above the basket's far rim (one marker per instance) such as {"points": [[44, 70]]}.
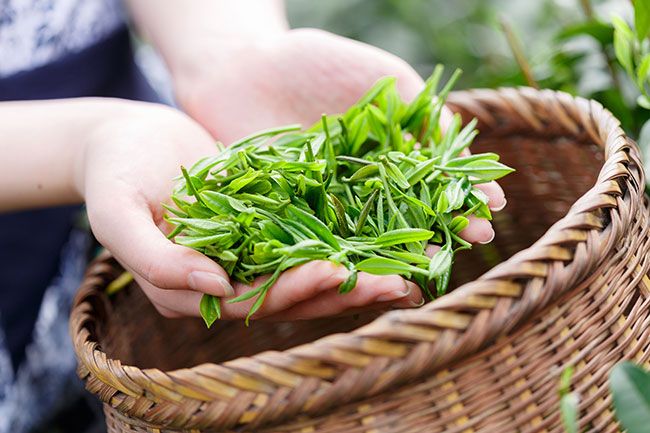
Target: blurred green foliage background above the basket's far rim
{"points": [[567, 44]]}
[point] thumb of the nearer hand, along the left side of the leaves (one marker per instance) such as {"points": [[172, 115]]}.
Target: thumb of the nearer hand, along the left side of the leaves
{"points": [[138, 243]]}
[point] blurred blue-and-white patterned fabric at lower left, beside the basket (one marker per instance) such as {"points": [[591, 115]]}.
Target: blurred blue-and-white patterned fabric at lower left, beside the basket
{"points": [[47, 378]]}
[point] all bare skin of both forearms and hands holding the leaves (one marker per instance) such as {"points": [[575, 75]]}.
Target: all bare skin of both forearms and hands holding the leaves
{"points": [[236, 69]]}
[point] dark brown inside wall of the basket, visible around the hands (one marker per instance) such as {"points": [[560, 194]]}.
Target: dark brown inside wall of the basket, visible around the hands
{"points": [[551, 174]]}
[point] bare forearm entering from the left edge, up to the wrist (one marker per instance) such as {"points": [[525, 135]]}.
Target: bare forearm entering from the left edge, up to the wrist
{"points": [[42, 149]]}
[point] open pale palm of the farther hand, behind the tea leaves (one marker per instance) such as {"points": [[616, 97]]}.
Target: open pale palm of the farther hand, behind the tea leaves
{"points": [[292, 78]]}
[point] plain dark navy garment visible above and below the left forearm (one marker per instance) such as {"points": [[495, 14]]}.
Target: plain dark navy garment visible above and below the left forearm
{"points": [[30, 242]]}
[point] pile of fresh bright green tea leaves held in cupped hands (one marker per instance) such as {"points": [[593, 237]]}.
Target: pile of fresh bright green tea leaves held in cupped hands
{"points": [[368, 189]]}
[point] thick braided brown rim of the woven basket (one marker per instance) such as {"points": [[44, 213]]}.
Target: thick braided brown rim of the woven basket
{"points": [[402, 344]]}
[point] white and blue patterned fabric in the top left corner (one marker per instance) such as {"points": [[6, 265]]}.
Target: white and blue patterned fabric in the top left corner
{"points": [[36, 32]]}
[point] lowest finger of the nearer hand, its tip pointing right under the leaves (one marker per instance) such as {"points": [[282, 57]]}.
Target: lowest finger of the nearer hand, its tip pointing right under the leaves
{"points": [[371, 292]]}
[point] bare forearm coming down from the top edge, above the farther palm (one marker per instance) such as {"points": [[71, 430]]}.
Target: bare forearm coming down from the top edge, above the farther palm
{"points": [[189, 32]]}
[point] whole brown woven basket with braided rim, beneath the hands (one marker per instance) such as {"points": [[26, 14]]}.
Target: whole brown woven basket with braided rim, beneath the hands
{"points": [[571, 288]]}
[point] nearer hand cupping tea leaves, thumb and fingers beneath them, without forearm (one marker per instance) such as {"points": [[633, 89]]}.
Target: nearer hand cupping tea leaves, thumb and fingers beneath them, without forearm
{"points": [[124, 174]]}
